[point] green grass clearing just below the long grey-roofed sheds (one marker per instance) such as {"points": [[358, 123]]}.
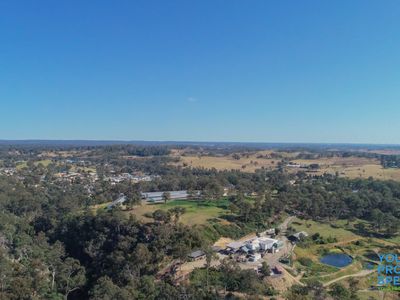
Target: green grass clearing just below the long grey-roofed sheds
{"points": [[196, 212]]}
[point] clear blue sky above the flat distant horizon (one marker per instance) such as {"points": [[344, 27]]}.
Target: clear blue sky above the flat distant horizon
{"points": [[264, 71]]}
